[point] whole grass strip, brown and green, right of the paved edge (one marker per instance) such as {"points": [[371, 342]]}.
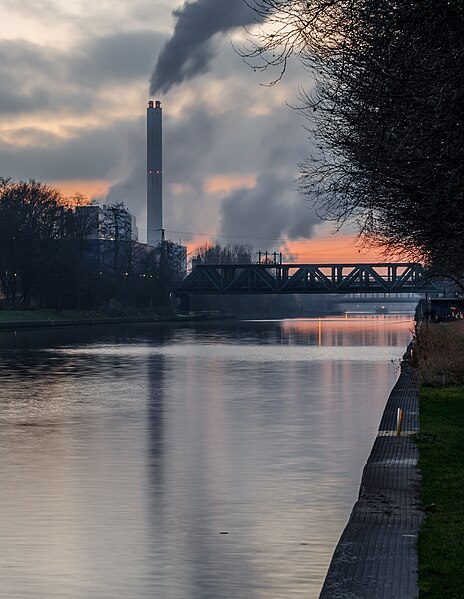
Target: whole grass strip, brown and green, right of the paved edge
{"points": [[439, 360]]}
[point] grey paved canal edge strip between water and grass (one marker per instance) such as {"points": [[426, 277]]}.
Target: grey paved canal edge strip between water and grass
{"points": [[376, 556]]}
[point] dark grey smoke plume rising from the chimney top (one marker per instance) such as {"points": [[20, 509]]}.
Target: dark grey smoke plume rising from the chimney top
{"points": [[190, 49]]}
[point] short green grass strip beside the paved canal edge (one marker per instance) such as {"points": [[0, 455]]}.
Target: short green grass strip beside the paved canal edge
{"points": [[441, 446]]}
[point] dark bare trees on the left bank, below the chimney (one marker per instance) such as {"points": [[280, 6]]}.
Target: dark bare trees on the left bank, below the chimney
{"points": [[50, 258]]}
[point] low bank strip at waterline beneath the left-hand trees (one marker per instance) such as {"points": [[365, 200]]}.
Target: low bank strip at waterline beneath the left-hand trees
{"points": [[33, 319]]}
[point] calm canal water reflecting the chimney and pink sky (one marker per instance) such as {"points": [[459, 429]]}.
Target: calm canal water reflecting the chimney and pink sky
{"points": [[201, 461]]}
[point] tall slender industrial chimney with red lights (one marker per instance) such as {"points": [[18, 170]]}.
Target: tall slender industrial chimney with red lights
{"points": [[154, 173]]}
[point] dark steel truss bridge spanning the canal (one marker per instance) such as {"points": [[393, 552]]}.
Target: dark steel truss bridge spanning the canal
{"points": [[306, 278]]}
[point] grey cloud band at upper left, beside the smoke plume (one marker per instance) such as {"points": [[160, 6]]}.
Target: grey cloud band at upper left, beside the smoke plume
{"points": [[36, 78]]}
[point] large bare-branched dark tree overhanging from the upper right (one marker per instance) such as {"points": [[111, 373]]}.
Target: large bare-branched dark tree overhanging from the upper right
{"points": [[386, 115]]}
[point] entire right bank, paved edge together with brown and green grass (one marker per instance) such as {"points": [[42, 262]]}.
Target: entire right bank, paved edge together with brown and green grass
{"points": [[405, 535]]}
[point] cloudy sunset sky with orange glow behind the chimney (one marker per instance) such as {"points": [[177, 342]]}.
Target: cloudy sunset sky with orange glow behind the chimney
{"points": [[76, 78]]}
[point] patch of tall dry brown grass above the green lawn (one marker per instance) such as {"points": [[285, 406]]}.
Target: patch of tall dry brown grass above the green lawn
{"points": [[439, 354]]}
